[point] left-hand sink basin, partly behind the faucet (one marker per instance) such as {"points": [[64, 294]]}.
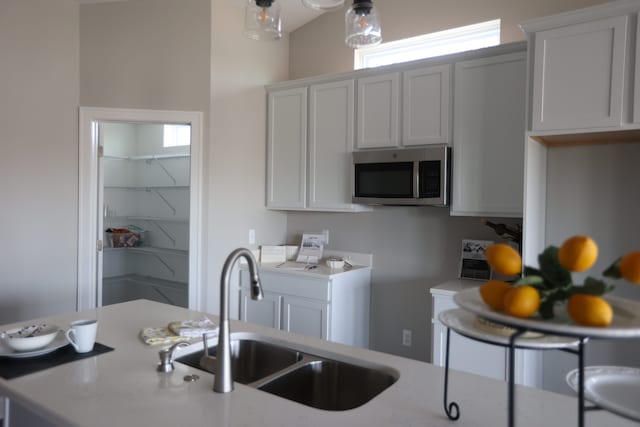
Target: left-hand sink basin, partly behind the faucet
{"points": [[251, 360]]}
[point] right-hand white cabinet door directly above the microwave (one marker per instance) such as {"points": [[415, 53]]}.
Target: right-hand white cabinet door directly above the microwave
{"points": [[426, 106]]}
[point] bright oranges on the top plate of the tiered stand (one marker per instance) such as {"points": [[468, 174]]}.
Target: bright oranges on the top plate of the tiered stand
{"points": [[525, 297]]}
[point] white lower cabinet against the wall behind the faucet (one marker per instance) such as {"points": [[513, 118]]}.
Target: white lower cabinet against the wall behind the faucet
{"points": [[334, 307]]}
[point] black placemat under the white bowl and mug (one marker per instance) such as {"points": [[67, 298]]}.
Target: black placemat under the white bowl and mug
{"points": [[16, 367]]}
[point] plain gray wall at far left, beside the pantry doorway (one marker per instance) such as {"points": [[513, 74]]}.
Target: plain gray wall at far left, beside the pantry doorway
{"points": [[38, 157]]}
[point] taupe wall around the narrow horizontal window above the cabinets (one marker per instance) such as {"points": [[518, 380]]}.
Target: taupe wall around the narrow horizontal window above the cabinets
{"points": [[318, 47]]}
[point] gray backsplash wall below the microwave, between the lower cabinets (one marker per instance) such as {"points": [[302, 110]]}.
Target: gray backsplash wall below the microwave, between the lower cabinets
{"points": [[414, 249]]}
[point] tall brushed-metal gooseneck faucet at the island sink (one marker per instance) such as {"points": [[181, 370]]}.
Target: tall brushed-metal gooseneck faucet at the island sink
{"points": [[223, 382]]}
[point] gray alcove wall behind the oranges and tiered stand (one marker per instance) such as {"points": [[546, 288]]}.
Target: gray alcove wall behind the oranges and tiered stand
{"points": [[593, 190]]}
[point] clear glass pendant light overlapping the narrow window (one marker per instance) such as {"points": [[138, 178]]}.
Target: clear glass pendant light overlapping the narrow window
{"points": [[362, 25]]}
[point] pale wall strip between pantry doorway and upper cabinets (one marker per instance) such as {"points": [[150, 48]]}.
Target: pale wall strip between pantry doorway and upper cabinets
{"points": [[240, 68]]}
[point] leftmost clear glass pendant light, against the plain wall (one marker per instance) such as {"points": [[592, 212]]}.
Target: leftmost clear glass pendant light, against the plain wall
{"points": [[262, 20]]}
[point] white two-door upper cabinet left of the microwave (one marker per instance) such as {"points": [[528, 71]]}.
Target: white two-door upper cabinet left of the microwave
{"points": [[309, 155]]}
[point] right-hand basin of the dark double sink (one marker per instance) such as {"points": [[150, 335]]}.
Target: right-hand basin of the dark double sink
{"points": [[331, 385]]}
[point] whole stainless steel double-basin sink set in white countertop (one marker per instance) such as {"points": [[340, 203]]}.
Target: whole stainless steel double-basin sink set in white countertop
{"points": [[317, 381]]}
